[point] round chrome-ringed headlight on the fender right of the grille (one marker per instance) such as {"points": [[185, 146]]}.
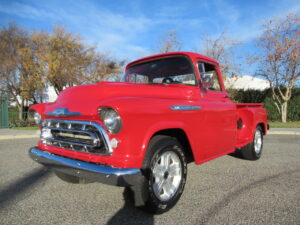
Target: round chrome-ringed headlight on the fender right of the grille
{"points": [[111, 119]]}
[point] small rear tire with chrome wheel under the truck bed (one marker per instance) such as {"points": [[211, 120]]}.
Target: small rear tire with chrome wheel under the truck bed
{"points": [[253, 150]]}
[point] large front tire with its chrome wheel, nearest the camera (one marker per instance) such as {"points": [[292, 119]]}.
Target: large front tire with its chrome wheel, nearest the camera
{"points": [[165, 171]]}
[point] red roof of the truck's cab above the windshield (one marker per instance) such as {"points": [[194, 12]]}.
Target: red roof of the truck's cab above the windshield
{"points": [[192, 55]]}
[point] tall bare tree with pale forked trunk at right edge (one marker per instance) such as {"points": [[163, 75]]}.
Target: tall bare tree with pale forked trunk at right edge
{"points": [[278, 58]]}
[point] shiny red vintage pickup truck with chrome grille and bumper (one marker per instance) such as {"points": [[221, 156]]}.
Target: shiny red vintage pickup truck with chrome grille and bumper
{"points": [[171, 109]]}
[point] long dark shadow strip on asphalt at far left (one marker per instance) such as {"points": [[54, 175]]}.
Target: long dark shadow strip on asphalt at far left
{"points": [[19, 187]]}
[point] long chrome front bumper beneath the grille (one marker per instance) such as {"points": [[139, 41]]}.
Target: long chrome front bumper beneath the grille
{"points": [[90, 172]]}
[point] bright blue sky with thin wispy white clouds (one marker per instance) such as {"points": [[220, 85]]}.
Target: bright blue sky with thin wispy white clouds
{"points": [[128, 30]]}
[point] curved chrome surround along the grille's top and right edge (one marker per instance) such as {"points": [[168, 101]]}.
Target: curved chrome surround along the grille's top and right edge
{"points": [[97, 125]]}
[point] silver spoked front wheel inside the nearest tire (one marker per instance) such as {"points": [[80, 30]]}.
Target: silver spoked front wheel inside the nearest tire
{"points": [[167, 175]]}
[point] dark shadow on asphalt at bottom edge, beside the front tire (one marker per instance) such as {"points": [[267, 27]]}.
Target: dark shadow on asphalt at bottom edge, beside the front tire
{"points": [[130, 214]]}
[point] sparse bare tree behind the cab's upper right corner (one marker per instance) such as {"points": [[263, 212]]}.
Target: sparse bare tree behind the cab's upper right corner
{"points": [[221, 48]]}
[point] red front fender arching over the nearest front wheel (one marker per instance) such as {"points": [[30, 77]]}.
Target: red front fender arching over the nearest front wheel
{"points": [[143, 118]]}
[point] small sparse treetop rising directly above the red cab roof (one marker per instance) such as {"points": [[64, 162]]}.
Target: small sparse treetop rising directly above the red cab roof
{"points": [[169, 42]]}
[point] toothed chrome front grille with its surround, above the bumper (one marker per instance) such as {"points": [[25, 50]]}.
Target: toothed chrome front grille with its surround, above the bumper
{"points": [[80, 136]]}
